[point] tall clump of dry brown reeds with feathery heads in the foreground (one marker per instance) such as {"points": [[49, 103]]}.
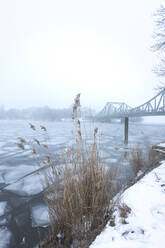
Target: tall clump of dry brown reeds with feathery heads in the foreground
{"points": [[78, 192]]}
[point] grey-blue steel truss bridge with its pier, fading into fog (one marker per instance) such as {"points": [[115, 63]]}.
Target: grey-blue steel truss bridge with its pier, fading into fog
{"points": [[154, 107]]}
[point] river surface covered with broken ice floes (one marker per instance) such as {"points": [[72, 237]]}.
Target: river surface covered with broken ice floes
{"points": [[23, 214]]}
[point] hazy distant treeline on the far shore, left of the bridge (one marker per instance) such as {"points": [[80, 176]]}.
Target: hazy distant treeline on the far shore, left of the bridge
{"points": [[40, 113]]}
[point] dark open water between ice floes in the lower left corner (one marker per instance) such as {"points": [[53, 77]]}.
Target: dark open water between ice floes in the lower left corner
{"points": [[18, 216]]}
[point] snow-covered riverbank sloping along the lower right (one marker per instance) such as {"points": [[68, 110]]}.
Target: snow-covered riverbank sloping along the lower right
{"points": [[143, 225]]}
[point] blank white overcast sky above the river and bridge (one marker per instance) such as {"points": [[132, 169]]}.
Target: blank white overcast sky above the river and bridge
{"points": [[50, 50]]}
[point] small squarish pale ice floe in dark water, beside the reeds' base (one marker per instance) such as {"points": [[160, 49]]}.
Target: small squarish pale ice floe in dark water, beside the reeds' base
{"points": [[40, 216]]}
